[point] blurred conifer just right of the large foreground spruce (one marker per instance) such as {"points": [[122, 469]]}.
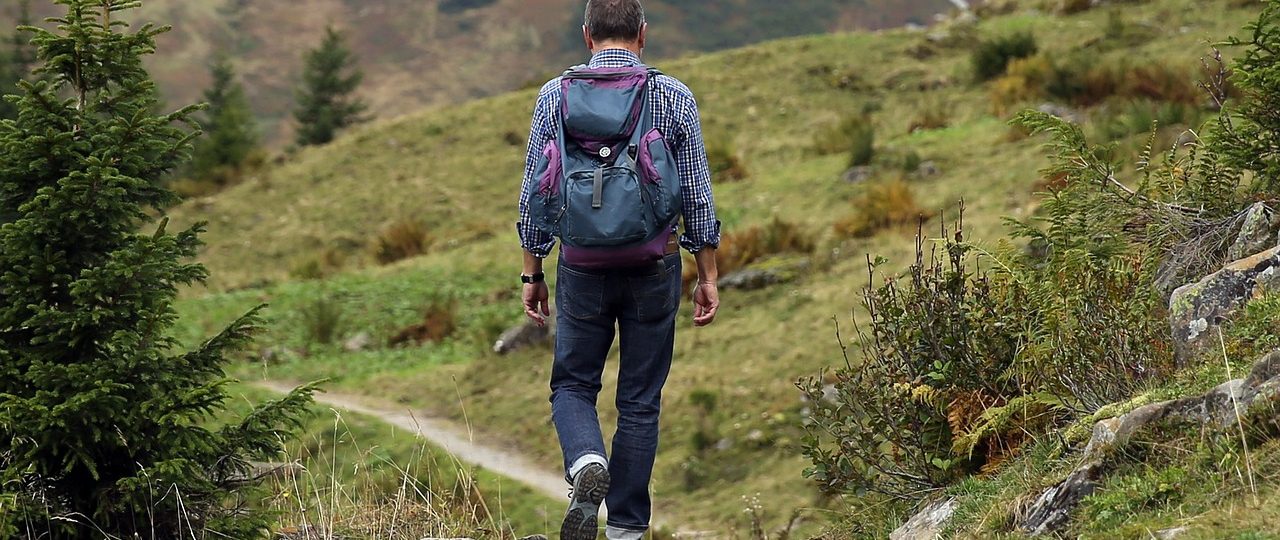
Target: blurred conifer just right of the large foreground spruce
{"points": [[231, 135]]}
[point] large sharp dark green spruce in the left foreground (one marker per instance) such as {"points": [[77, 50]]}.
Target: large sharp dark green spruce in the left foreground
{"points": [[106, 422]]}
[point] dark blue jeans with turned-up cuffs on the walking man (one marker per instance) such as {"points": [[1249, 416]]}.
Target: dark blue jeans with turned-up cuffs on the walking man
{"points": [[642, 304]]}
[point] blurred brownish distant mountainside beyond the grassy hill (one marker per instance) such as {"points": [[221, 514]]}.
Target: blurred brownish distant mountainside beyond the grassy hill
{"points": [[422, 53]]}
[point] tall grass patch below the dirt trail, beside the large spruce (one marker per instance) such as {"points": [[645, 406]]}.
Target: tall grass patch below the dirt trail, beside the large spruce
{"points": [[363, 475]]}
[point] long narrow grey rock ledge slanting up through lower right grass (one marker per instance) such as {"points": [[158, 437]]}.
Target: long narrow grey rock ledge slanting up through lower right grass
{"points": [[1218, 410]]}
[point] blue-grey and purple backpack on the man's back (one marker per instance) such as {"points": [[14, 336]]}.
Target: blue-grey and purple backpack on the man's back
{"points": [[607, 186]]}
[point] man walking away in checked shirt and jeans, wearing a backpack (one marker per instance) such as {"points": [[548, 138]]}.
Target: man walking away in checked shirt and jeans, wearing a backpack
{"points": [[616, 157]]}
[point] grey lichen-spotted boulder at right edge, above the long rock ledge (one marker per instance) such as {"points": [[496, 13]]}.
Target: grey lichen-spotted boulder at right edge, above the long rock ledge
{"points": [[1197, 310]]}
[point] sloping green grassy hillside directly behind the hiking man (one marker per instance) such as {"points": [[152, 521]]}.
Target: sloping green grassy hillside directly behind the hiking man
{"points": [[733, 413]]}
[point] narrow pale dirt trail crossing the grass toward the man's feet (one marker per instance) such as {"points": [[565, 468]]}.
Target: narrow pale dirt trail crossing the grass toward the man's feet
{"points": [[450, 437]]}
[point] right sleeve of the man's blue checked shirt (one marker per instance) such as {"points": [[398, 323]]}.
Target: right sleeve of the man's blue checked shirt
{"points": [[702, 228]]}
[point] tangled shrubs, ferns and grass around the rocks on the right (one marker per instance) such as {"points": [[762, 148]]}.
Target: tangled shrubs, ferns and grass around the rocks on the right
{"points": [[966, 369]]}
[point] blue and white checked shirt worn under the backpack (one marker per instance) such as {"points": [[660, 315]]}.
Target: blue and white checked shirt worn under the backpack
{"points": [[675, 113]]}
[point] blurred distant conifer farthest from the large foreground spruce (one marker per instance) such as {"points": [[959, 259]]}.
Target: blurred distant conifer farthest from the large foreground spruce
{"points": [[327, 100]]}
